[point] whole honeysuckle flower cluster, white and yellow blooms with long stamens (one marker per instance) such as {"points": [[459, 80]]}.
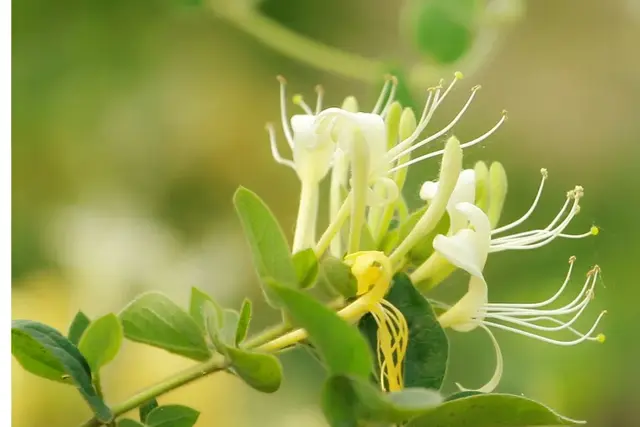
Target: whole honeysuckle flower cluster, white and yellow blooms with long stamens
{"points": [[366, 156]]}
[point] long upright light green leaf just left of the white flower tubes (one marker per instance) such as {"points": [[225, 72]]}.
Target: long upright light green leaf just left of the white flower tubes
{"points": [[269, 247]]}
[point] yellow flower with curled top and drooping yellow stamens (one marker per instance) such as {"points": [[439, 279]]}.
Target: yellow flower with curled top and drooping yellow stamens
{"points": [[373, 271]]}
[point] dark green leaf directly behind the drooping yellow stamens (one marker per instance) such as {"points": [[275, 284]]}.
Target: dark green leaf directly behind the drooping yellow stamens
{"points": [[427, 353]]}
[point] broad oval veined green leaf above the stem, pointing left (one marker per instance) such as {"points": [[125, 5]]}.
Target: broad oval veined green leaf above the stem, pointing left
{"points": [[154, 319]]}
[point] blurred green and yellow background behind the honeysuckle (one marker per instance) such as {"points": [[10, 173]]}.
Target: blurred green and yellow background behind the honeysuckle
{"points": [[134, 122]]}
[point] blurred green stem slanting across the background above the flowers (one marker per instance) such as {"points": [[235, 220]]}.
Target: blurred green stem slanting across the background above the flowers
{"points": [[303, 49]]}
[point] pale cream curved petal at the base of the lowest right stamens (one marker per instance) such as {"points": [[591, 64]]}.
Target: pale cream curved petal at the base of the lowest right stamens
{"points": [[466, 314]]}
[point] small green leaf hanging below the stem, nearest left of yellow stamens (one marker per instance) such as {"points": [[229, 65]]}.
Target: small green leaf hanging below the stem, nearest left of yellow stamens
{"points": [[261, 371]]}
